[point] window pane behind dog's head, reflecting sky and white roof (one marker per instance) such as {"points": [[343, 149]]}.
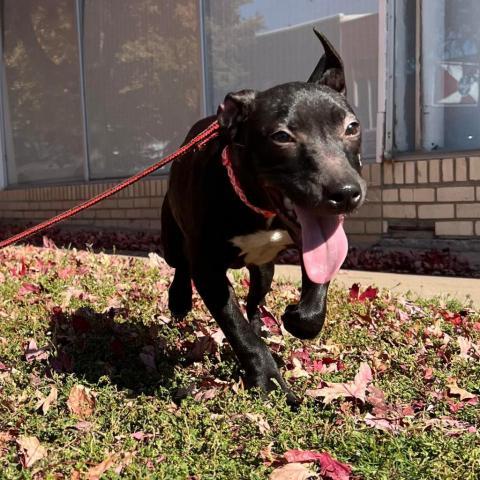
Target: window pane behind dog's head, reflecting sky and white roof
{"points": [[263, 43]]}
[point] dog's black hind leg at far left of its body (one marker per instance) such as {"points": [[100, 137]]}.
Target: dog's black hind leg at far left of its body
{"points": [[180, 291]]}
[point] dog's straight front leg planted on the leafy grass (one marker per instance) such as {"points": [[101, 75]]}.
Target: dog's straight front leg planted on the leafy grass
{"points": [[253, 354]]}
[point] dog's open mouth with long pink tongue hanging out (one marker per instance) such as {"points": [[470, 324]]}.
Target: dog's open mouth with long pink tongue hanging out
{"points": [[320, 237]]}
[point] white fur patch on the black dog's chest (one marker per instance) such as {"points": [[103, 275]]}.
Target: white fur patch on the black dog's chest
{"points": [[262, 246]]}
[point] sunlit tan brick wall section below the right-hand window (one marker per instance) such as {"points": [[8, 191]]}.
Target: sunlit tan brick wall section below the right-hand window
{"points": [[438, 194]]}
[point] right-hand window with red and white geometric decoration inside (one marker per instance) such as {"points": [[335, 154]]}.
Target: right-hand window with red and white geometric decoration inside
{"points": [[436, 81]]}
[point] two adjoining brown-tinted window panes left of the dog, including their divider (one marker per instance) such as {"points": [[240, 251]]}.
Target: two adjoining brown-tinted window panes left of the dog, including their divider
{"points": [[97, 89]]}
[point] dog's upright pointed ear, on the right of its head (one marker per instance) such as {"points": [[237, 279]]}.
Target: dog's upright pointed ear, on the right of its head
{"points": [[329, 70]]}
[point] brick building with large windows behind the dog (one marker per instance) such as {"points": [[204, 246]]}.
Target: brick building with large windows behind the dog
{"points": [[93, 93]]}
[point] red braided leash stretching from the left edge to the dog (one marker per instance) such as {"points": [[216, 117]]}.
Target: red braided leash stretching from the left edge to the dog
{"points": [[198, 142]]}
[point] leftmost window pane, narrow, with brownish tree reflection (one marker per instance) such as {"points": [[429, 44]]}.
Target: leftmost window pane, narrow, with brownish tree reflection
{"points": [[43, 109]]}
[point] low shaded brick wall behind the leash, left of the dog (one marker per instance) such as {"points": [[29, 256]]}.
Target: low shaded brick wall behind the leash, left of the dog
{"points": [[135, 208]]}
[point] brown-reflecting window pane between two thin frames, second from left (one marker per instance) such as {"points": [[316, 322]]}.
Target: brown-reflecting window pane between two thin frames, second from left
{"points": [[143, 81]]}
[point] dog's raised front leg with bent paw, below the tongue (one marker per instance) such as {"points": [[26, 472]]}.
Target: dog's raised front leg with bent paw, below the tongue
{"points": [[305, 319]]}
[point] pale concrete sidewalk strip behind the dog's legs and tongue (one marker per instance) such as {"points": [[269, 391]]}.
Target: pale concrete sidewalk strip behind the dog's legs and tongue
{"points": [[463, 289]]}
